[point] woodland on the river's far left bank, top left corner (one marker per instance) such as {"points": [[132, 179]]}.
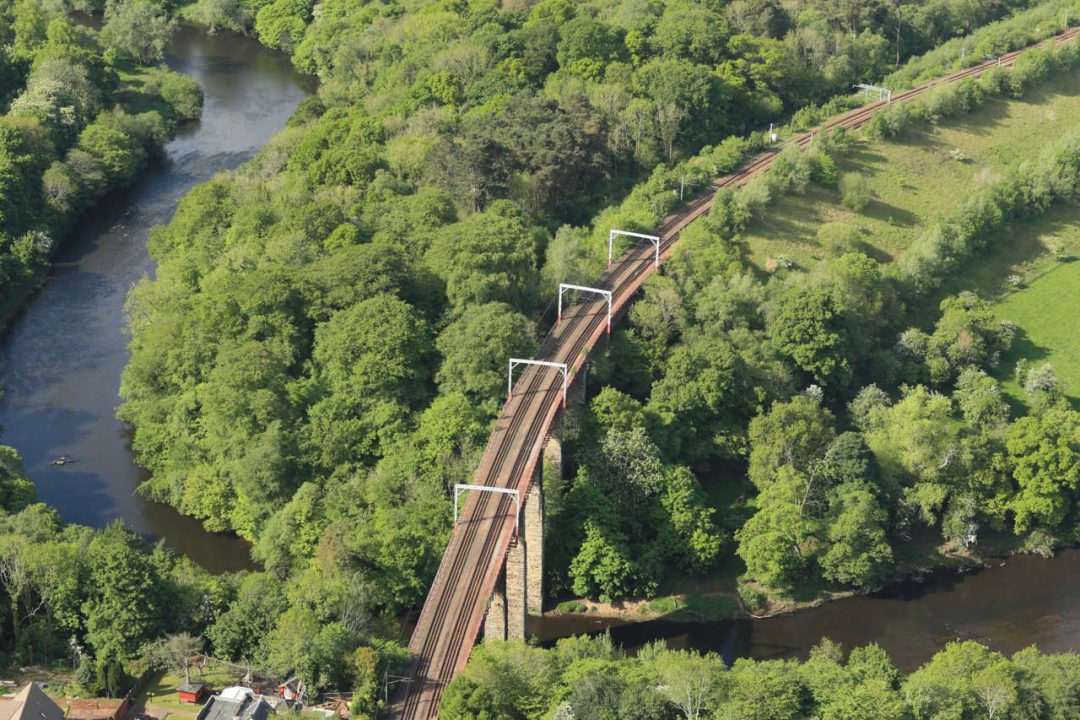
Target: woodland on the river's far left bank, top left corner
{"points": [[83, 116]]}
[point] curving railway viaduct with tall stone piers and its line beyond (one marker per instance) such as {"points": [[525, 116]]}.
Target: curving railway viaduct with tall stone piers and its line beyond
{"points": [[491, 574]]}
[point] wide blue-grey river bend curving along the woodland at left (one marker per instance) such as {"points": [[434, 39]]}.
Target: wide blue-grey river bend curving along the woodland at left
{"points": [[62, 359]]}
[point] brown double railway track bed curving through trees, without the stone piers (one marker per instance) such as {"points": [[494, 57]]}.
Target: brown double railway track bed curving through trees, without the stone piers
{"points": [[454, 612]]}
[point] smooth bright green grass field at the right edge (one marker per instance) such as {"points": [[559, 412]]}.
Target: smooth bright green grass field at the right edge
{"points": [[1048, 315]]}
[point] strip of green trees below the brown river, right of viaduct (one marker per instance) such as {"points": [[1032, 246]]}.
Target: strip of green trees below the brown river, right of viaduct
{"points": [[588, 678]]}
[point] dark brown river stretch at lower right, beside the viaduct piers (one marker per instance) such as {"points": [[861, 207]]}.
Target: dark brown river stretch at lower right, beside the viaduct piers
{"points": [[1028, 601]]}
